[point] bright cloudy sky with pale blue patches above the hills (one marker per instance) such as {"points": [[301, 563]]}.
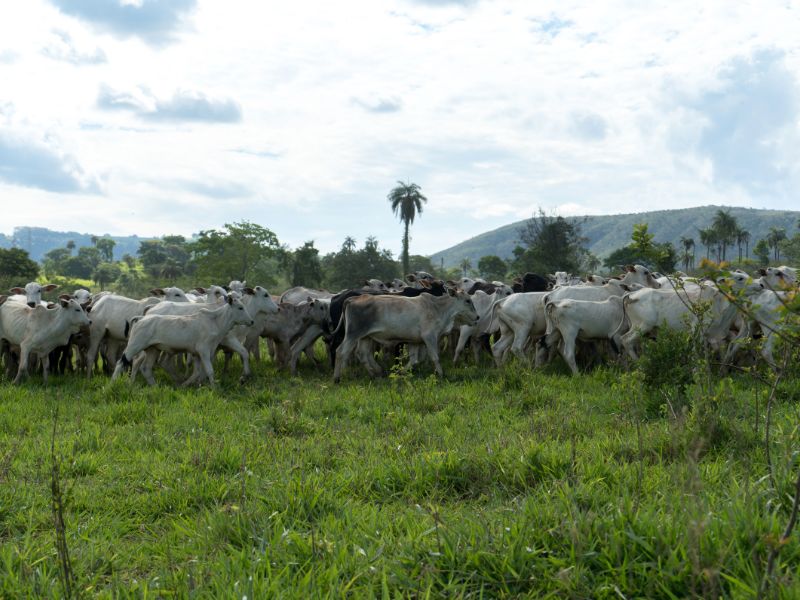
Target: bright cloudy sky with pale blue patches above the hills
{"points": [[156, 117]]}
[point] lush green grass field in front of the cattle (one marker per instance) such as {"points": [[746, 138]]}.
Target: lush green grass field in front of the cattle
{"points": [[488, 484]]}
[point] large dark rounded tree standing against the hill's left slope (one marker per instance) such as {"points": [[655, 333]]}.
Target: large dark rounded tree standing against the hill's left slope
{"points": [[549, 244]]}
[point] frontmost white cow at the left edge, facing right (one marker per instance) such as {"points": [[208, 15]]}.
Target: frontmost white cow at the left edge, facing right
{"points": [[40, 330]]}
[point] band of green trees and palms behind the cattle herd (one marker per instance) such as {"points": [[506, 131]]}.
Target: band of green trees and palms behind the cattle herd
{"points": [[251, 252]]}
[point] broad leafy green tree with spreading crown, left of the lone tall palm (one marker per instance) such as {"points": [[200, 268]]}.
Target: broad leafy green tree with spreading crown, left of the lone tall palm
{"points": [[243, 251]]}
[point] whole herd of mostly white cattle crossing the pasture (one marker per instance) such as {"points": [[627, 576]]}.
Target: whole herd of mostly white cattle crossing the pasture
{"points": [[535, 316]]}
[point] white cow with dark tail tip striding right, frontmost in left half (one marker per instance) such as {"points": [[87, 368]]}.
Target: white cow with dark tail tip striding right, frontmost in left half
{"points": [[199, 334]]}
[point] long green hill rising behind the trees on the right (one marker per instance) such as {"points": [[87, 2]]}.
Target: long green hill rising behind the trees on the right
{"points": [[606, 233]]}
